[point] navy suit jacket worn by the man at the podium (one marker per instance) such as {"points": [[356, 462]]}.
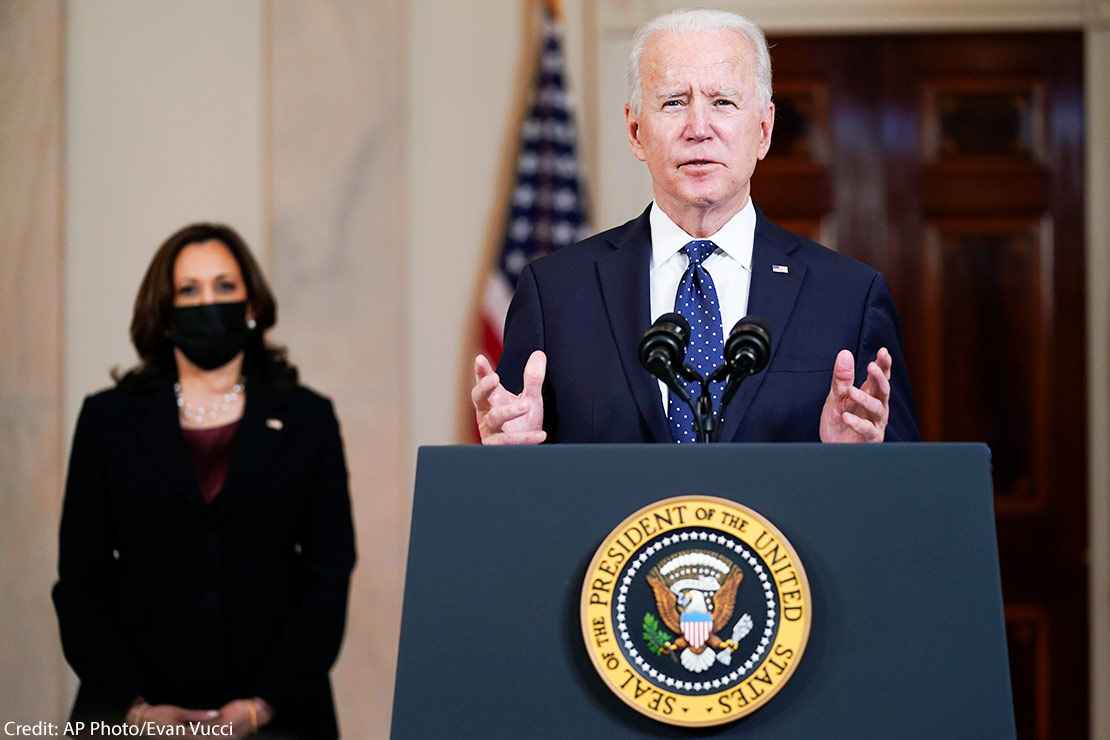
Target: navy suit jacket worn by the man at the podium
{"points": [[588, 306]]}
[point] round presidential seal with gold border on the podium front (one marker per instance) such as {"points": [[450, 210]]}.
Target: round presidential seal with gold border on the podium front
{"points": [[695, 611]]}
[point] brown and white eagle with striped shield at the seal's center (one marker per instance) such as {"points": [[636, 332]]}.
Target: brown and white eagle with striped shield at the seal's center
{"points": [[695, 593]]}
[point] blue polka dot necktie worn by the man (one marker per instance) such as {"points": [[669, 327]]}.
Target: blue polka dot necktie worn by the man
{"points": [[697, 300]]}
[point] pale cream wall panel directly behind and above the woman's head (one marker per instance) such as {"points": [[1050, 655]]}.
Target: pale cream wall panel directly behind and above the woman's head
{"points": [[164, 127]]}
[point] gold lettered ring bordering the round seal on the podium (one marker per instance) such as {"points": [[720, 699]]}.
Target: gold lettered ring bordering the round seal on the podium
{"points": [[596, 653]]}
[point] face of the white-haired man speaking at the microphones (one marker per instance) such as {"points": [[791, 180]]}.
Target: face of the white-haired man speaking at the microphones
{"points": [[701, 128]]}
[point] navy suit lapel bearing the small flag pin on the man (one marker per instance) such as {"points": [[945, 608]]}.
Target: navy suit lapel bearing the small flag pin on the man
{"points": [[772, 297]]}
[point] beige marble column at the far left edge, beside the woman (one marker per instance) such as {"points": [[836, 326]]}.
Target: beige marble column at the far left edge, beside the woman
{"points": [[32, 69]]}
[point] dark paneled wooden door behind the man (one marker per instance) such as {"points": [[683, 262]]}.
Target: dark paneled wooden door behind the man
{"points": [[955, 165]]}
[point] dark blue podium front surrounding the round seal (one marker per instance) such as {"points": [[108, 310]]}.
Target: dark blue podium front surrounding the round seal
{"points": [[907, 636]]}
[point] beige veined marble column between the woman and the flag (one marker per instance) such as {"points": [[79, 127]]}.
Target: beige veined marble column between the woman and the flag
{"points": [[339, 235]]}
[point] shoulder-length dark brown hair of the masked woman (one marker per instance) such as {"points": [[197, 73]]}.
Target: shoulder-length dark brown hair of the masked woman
{"points": [[153, 321]]}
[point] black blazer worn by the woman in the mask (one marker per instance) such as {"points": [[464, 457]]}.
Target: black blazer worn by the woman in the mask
{"points": [[164, 597]]}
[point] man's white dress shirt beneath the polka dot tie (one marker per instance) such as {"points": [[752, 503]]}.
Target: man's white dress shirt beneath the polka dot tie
{"points": [[730, 267]]}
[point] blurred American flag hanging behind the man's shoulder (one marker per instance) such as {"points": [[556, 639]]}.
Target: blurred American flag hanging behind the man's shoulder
{"points": [[548, 208]]}
